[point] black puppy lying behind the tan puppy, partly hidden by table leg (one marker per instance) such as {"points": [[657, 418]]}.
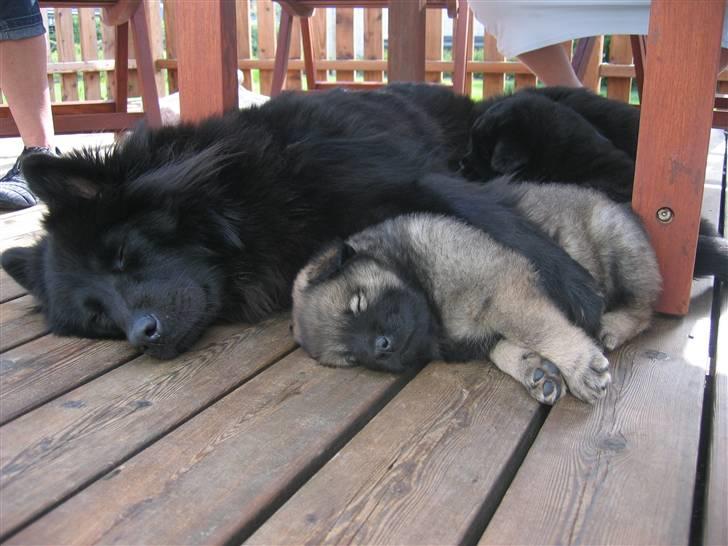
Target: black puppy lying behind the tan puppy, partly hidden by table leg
{"points": [[570, 135]]}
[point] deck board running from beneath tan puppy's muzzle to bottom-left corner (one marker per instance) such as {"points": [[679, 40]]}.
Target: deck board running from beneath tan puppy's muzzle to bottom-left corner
{"points": [[213, 477]]}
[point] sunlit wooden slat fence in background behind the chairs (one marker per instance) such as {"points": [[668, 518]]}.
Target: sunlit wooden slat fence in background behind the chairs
{"points": [[81, 52]]}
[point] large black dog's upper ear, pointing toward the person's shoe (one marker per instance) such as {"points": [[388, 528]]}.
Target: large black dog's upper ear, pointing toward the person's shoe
{"points": [[60, 180]]}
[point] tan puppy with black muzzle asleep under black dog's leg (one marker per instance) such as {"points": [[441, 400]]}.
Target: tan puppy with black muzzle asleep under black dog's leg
{"points": [[423, 287]]}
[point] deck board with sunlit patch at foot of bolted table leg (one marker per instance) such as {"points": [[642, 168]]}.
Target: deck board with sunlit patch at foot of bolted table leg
{"points": [[621, 471]]}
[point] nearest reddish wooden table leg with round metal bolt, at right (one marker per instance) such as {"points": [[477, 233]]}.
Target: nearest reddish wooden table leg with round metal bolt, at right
{"points": [[676, 116]]}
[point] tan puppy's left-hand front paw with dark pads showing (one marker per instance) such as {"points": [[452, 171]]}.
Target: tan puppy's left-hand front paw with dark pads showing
{"points": [[541, 377]]}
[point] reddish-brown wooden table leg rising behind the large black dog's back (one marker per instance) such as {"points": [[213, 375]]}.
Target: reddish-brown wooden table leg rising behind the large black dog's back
{"points": [[406, 55]]}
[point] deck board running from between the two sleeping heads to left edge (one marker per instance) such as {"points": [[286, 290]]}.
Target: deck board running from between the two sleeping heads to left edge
{"points": [[51, 452]]}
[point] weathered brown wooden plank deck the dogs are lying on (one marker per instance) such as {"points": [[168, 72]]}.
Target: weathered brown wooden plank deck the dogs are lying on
{"points": [[245, 439]]}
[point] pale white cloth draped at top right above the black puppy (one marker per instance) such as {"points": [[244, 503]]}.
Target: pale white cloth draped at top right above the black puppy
{"points": [[525, 25]]}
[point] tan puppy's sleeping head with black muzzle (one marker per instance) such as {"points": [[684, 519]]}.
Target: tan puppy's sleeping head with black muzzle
{"points": [[356, 311]]}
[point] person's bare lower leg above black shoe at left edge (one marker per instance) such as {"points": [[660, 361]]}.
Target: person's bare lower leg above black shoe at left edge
{"points": [[24, 82]]}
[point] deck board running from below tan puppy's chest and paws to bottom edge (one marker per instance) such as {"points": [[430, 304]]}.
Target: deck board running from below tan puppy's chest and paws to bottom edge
{"points": [[425, 470]]}
